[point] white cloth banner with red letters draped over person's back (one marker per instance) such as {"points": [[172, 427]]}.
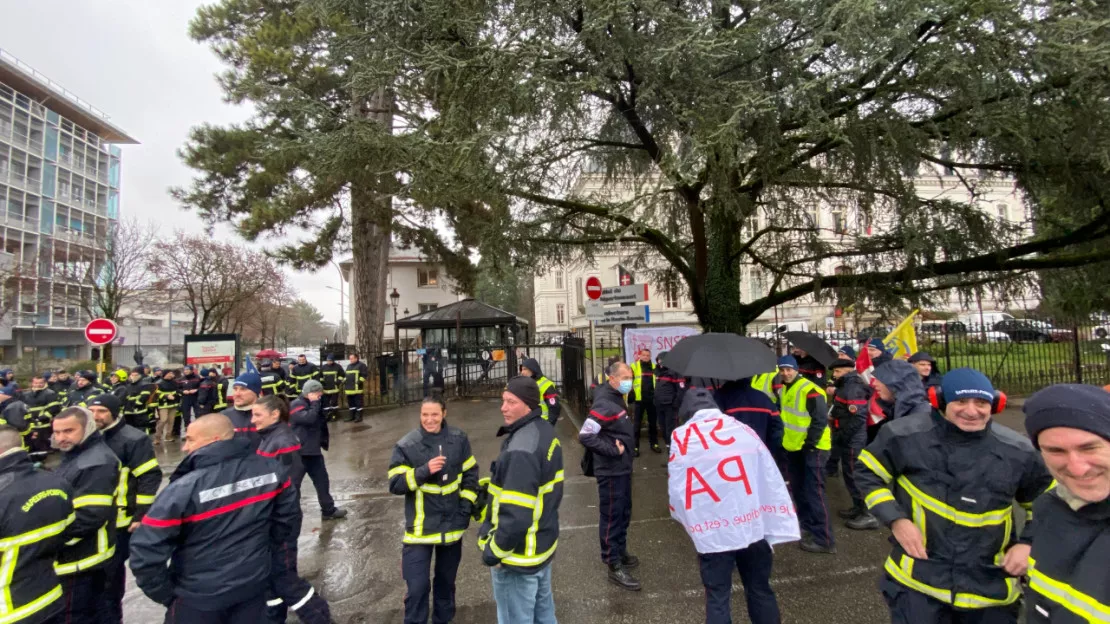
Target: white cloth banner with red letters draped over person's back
{"points": [[725, 488]]}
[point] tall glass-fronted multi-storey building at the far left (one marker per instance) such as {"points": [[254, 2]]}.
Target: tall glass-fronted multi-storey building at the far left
{"points": [[60, 196]]}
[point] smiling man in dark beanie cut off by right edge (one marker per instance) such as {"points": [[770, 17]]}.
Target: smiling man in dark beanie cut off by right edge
{"points": [[1069, 580]]}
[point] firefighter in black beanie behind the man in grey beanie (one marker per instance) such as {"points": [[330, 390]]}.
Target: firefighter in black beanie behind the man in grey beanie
{"points": [[139, 481]]}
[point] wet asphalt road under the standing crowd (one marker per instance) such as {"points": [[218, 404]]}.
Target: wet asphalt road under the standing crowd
{"points": [[356, 563]]}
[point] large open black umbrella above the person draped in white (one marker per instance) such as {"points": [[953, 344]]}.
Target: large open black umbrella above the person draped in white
{"points": [[721, 357]]}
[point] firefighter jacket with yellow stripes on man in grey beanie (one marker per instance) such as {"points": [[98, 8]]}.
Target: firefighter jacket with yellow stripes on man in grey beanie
{"points": [[94, 472]]}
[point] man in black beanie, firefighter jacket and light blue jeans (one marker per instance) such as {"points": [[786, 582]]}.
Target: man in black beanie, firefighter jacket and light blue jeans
{"points": [[520, 534]]}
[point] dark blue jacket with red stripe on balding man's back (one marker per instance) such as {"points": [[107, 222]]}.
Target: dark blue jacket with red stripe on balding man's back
{"points": [[224, 526]]}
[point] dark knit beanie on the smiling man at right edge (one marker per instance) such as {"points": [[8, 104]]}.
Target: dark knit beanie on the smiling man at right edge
{"points": [[1068, 405]]}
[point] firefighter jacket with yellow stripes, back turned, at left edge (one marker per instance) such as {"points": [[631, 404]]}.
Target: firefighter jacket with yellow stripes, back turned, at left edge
{"points": [[36, 508]]}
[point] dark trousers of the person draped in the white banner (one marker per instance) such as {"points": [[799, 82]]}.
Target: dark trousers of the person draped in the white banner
{"points": [[754, 563]]}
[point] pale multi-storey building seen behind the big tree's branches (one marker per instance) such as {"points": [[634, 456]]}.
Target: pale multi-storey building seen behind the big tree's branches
{"points": [[560, 294]]}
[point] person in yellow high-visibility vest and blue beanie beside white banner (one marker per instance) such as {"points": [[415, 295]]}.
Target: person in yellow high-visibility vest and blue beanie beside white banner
{"points": [[808, 441]]}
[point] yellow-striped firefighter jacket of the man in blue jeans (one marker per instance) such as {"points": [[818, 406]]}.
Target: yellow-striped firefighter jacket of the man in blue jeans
{"points": [[521, 529]]}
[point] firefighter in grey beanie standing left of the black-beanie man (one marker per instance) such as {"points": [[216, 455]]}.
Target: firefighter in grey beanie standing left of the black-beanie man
{"points": [[94, 474]]}
